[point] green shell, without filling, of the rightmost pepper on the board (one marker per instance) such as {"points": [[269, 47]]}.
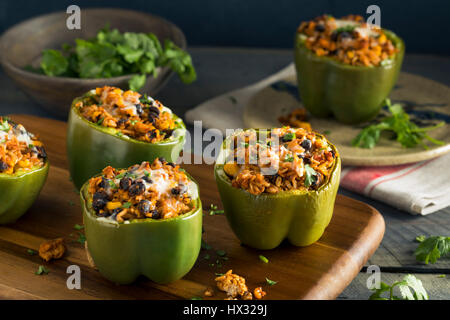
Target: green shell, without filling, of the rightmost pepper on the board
{"points": [[263, 221]]}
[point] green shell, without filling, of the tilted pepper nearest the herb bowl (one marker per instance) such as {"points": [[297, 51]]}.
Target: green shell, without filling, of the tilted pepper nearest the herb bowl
{"points": [[92, 147]]}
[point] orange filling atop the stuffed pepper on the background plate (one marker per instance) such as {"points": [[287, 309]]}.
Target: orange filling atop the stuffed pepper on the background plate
{"points": [[349, 40]]}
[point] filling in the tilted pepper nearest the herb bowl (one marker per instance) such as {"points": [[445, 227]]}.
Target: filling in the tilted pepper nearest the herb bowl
{"points": [[134, 116]]}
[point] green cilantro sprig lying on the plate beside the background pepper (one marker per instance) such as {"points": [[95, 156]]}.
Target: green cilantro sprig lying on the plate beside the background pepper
{"points": [[406, 132]]}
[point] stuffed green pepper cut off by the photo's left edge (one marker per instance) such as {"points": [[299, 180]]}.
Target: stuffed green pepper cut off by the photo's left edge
{"points": [[23, 170]]}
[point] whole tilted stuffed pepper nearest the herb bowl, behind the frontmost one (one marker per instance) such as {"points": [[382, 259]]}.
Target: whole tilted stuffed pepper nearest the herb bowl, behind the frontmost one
{"points": [[108, 126]]}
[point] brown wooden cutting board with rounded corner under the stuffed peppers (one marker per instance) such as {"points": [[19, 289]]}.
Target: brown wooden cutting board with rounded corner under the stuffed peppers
{"points": [[320, 271]]}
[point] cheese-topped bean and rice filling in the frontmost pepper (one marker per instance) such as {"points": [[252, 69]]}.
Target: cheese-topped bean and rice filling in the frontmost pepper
{"points": [[158, 190]]}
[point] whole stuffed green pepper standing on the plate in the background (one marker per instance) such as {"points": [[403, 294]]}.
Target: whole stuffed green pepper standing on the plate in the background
{"points": [[345, 67]]}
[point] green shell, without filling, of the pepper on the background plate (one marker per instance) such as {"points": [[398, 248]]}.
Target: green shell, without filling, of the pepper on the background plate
{"points": [[352, 94]]}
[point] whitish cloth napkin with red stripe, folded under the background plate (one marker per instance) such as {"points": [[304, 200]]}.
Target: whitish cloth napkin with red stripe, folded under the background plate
{"points": [[419, 188]]}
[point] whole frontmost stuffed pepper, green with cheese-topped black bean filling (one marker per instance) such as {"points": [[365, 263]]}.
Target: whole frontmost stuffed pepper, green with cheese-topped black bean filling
{"points": [[144, 220]]}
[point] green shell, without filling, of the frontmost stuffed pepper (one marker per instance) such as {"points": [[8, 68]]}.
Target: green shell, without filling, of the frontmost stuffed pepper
{"points": [[162, 250]]}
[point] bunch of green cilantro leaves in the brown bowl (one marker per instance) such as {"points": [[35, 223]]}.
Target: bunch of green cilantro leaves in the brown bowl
{"points": [[112, 53]]}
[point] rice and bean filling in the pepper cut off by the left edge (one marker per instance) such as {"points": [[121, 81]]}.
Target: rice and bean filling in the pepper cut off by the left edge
{"points": [[20, 150]]}
